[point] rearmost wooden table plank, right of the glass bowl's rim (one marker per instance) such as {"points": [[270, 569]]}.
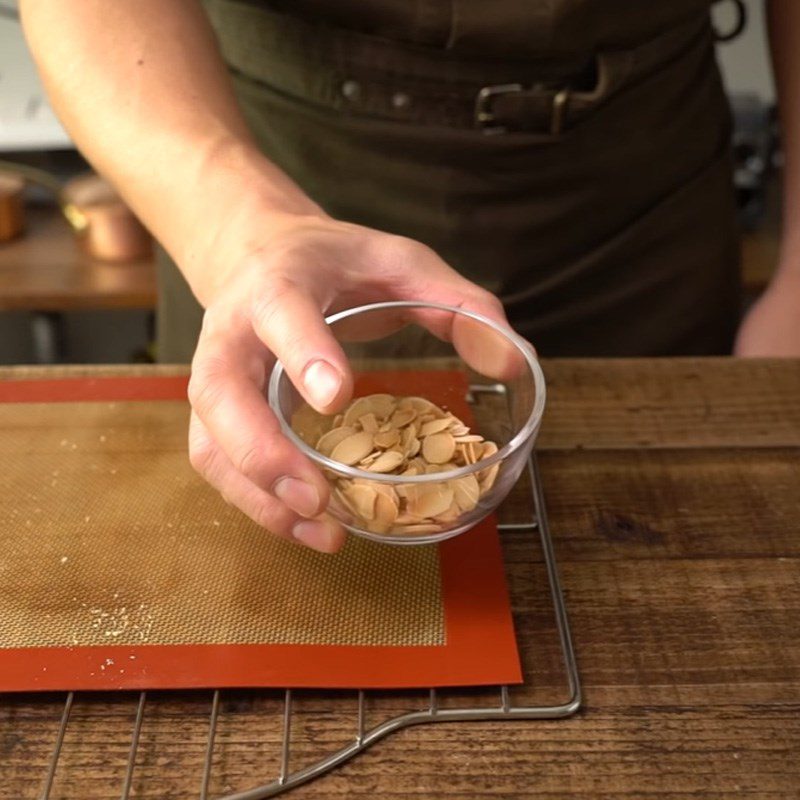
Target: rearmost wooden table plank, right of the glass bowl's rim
{"points": [[690, 402]]}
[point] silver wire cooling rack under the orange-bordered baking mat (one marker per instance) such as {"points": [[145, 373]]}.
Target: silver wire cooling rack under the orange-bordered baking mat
{"points": [[288, 777]]}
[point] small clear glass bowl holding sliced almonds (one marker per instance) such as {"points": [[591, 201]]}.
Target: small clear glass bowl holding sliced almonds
{"points": [[444, 354]]}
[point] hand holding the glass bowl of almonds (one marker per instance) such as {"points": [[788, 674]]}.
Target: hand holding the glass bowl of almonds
{"points": [[269, 304]]}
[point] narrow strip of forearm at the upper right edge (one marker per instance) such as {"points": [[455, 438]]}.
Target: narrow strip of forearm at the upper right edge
{"points": [[784, 34]]}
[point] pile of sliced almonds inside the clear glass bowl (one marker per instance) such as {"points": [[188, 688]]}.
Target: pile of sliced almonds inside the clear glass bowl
{"points": [[406, 436]]}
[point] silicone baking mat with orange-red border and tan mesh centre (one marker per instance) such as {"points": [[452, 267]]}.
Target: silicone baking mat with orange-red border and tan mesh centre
{"points": [[121, 569]]}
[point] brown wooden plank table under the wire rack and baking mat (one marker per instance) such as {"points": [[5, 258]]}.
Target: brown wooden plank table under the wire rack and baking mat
{"points": [[674, 500]]}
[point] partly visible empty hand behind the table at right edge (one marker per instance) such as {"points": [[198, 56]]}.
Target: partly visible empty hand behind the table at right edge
{"points": [[772, 326]]}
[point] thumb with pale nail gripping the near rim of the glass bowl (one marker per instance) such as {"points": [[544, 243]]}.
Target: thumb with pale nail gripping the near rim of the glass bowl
{"points": [[291, 325]]}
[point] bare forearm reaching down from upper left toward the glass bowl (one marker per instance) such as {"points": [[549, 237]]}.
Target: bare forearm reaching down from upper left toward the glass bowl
{"points": [[141, 88]]}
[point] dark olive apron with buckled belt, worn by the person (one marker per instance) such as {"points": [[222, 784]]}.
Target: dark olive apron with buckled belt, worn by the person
{"points": [[570, 155]]}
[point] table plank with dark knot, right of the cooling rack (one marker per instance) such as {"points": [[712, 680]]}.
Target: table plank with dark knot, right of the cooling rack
{"points": [[622, 505]]}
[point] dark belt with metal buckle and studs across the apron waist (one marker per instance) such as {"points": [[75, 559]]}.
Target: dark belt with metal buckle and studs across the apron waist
{"points": [[365, 75]]}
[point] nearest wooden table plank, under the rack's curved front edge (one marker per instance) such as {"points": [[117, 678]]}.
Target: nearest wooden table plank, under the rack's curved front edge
{"points": [[622, 752]]}
